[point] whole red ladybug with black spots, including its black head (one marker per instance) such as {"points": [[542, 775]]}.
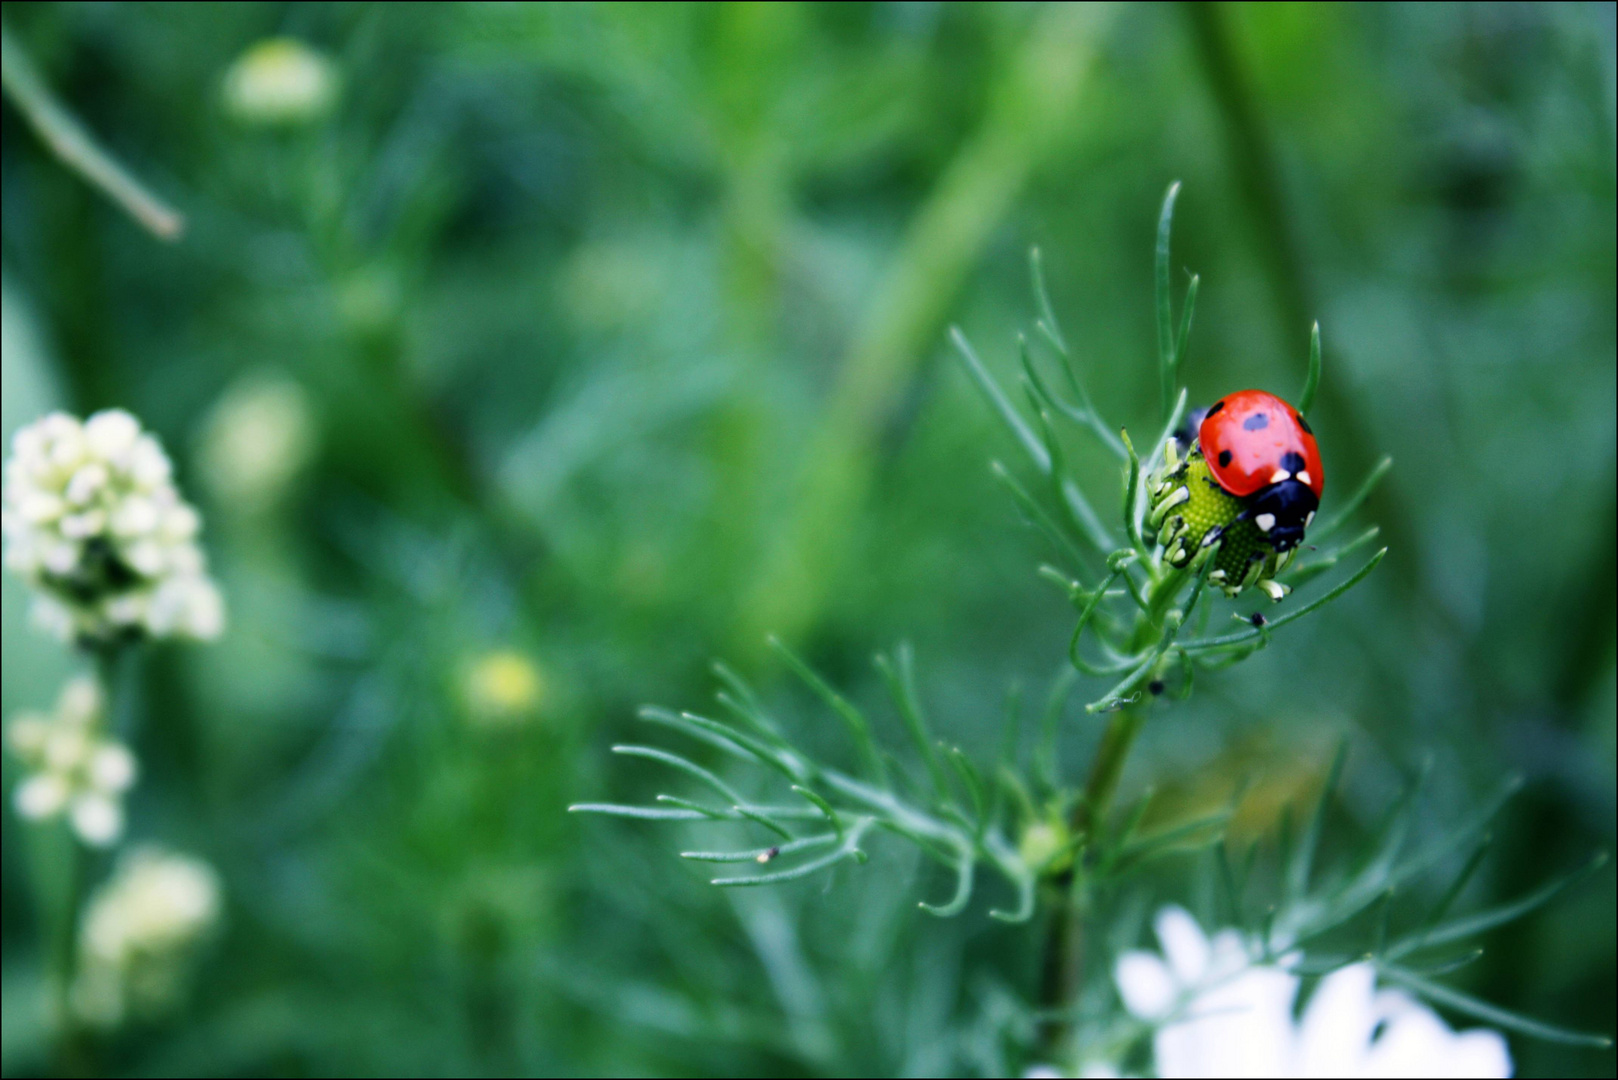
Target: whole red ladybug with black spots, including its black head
{"points": [[1261, 451]]}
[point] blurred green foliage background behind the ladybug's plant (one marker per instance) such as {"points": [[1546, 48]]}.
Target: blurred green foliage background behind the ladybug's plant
{"points": [[604, 339]]}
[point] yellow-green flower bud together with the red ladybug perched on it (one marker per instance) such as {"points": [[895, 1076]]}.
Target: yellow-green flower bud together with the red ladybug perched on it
{"points": [[1250, 485]]}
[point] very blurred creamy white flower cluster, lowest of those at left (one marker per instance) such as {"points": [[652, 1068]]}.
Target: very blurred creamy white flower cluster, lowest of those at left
{"points": [[138, 933]]}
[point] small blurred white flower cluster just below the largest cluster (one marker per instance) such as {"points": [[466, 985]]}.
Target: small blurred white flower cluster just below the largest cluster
{"points": [[74, 765]]}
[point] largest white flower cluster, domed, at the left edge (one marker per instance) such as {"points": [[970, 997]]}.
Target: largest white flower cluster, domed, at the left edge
{"points": [[93, 521]]}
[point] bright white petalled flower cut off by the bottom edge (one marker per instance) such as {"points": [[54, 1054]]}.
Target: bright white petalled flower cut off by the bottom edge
{"points": [[1221, 1014]]}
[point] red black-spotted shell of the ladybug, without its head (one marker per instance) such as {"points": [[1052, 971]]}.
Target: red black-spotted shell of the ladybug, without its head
{"points": [[1253, 440]]}
